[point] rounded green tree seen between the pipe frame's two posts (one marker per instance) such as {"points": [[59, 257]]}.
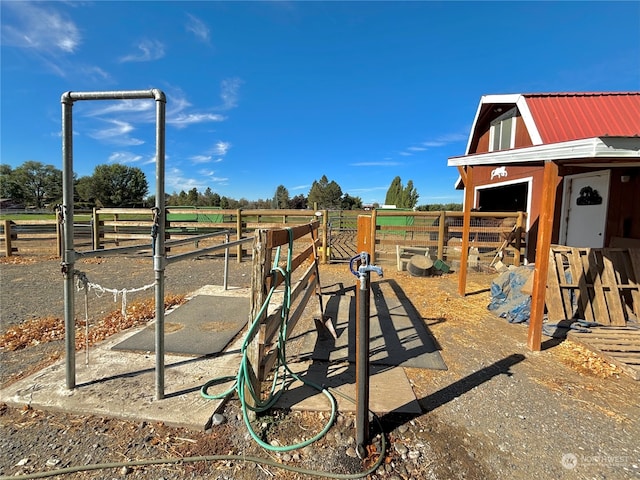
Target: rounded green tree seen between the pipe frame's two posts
{"points": [[117, 185]]}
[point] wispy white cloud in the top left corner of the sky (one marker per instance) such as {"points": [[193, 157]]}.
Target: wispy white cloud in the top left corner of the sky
{"points": [[34, 26]]}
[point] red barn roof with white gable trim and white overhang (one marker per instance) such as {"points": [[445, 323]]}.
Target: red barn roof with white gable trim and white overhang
{"points": [[556, 120]]}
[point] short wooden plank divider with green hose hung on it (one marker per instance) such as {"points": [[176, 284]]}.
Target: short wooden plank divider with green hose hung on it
{"points": [[285, 277]]}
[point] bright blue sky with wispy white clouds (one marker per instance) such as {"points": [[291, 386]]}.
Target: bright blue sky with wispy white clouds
{"points": [[261, 94]]}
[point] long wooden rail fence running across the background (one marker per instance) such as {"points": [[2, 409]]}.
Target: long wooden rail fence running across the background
{"points": [[493, 235]]}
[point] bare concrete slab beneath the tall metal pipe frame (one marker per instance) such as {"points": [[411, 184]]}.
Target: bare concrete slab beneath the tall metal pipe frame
{"points": [[122, 385]]}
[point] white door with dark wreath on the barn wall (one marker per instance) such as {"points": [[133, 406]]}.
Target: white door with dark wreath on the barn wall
{"points": [[585, 209]]}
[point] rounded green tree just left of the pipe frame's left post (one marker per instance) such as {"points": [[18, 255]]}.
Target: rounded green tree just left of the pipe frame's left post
{"points": [[38, 183]]}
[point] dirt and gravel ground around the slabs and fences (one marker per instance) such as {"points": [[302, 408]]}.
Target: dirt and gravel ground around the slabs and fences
{"points": [[499, 411]]}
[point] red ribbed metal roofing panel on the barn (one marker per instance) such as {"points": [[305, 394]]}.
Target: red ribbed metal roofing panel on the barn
{"points": [[561, 117]]}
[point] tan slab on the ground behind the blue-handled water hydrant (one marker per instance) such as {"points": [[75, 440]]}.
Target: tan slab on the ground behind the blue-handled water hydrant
{"points": [[389, 389]]}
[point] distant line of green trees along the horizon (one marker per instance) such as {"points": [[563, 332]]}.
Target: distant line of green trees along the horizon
{"points": [[34, 184]]}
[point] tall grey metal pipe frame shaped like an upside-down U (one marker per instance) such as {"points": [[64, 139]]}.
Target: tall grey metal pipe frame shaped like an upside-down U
{"points": [[69, 254]]}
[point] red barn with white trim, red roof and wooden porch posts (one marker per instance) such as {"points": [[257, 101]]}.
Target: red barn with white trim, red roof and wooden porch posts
{"points": [[571, 161]]}
